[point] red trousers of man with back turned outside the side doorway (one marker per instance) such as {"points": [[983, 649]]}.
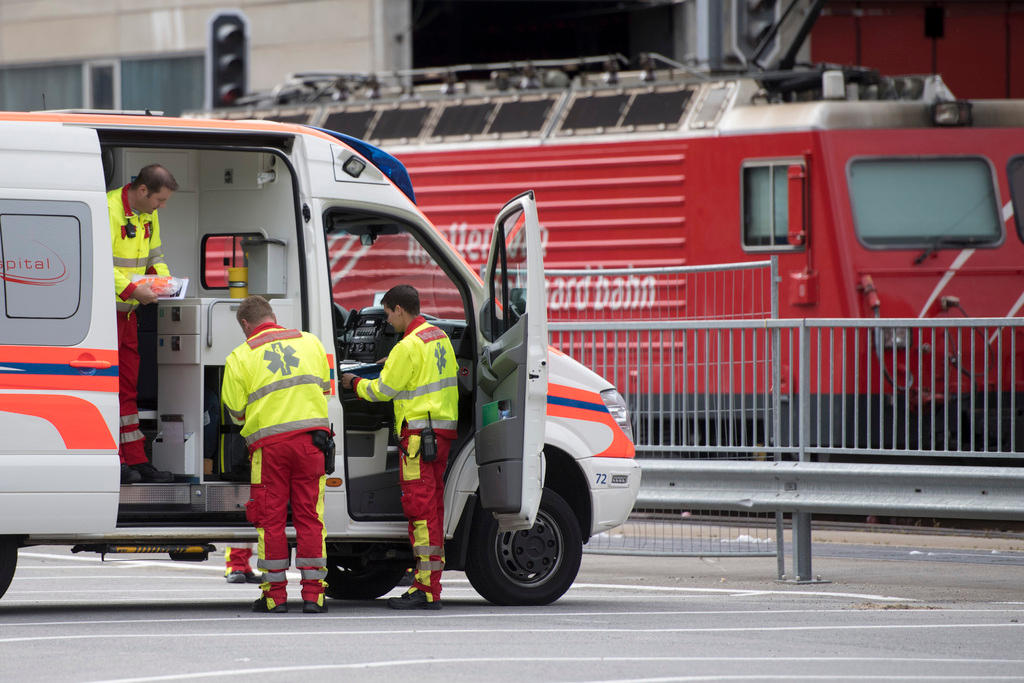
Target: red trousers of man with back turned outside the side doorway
{"points": [[291, 471]]}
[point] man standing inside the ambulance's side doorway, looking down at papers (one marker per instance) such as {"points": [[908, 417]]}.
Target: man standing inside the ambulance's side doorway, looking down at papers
{"points": [[136, 235]]}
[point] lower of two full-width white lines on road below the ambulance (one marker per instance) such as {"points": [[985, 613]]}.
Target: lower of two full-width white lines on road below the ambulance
{"points": [[523, 631]]}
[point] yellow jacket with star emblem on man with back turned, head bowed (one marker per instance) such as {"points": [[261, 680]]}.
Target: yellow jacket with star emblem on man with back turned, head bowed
{"points": [[276, 386]]}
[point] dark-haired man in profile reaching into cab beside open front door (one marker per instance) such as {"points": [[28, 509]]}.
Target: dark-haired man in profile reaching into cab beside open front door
{"points": [[420, 378]]}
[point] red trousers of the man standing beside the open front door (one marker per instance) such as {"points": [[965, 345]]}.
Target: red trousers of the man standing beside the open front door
{"points": [[423, 502]]}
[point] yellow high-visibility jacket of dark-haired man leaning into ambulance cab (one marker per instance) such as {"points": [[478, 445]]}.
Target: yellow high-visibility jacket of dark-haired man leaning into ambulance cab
{"points": [[420, 376]]}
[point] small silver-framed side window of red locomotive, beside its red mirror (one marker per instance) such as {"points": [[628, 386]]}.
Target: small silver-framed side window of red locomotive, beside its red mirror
{"points": [[765, 205]]}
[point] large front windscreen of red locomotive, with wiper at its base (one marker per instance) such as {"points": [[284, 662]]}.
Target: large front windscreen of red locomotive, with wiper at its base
{"points": [[924, 202]]}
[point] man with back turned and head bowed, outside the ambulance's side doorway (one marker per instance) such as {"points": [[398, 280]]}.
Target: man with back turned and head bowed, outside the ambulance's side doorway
{"points": [[276, 387]]}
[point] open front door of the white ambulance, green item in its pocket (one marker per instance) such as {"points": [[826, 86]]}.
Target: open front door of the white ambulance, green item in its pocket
{"points": [[513, 372]]}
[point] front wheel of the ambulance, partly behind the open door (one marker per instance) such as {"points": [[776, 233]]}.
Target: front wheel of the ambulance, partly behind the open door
{"points": [[535, 567]]}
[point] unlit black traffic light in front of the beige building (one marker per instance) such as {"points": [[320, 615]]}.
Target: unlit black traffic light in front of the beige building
{"points": [[228, 59]]}
